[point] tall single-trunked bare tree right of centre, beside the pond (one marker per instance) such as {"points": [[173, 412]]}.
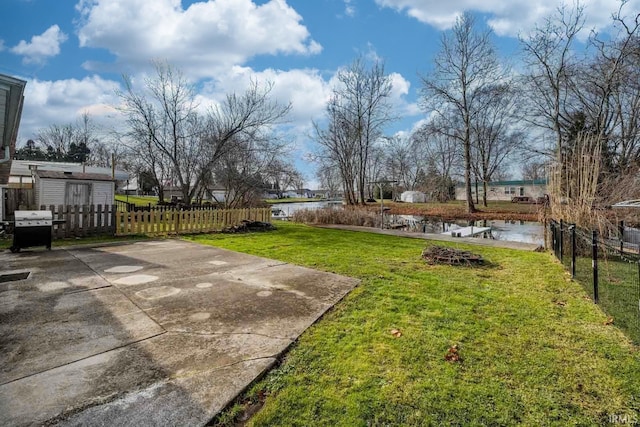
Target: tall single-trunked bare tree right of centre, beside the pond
{"points": [[465, 65]]}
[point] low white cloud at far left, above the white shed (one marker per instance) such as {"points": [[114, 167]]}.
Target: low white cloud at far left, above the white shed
{"points": [[64, 101]]}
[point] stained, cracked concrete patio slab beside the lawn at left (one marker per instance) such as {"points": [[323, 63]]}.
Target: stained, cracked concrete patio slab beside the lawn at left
{"points": [[151, 333]]}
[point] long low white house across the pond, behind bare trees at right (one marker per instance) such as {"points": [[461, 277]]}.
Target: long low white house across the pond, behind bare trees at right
{"points": [[506, 190]]}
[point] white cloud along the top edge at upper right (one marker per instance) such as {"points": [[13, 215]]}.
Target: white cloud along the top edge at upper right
{"points": [[507, 18]]}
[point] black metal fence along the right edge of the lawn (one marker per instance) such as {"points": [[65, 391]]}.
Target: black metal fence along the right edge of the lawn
{"points": [[607, 266]]}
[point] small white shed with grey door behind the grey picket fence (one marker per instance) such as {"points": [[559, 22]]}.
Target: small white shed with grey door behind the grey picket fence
{"points": [[73, 188]]}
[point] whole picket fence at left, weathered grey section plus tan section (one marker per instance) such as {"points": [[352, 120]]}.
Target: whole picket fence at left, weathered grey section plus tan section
{"points": [[92, 220]]}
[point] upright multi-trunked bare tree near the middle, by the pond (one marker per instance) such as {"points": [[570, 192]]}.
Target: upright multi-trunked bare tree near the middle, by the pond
{"points": [[357, 113]]}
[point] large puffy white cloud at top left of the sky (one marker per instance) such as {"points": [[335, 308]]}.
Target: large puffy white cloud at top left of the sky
{"points": [[201, 39]]}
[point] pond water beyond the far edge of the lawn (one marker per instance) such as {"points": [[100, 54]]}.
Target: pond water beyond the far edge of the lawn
{"points": [[514, 231]]}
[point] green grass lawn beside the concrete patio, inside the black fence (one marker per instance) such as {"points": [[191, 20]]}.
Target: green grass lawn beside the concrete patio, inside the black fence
{"points": [[534, 350]]}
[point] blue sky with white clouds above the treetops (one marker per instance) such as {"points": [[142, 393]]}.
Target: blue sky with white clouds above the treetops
{"points": [[73, 53]]}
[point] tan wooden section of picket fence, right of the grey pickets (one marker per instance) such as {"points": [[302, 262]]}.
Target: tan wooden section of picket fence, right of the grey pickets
{"points": [[185, 222]]}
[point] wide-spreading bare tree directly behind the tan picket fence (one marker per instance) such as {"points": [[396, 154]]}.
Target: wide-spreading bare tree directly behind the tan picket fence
{"points": [[167, 130]]}
